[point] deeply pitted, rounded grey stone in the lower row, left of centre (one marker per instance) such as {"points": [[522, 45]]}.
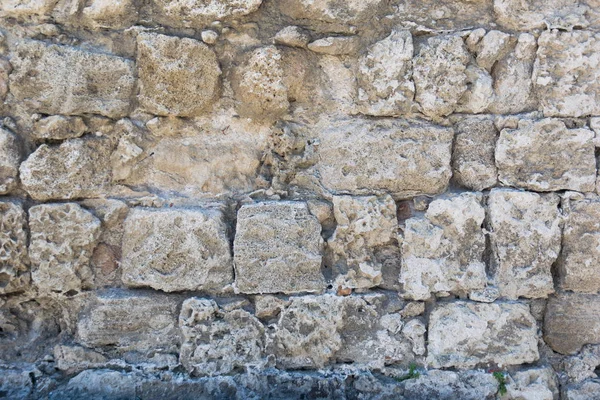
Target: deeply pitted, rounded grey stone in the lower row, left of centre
{"points": [[216, 341]]}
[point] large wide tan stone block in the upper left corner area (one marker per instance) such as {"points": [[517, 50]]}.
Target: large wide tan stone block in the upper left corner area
{"points": [[55, 79]]}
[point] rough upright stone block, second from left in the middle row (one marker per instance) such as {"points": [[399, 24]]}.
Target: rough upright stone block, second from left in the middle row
{"points": [[63, 237]]}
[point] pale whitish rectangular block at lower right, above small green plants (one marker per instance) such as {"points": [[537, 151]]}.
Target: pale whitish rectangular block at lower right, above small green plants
{"points": [[464, 334]]}
